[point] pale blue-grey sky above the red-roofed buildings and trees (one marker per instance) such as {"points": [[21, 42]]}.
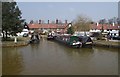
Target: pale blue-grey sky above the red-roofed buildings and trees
{"points": [[67, 10]]}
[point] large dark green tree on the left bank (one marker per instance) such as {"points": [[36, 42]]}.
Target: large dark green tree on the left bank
{"points": [[11, 18]]}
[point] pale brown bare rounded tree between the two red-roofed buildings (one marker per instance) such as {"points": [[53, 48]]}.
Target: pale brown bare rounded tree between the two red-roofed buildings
{"points": [[82, 23]]}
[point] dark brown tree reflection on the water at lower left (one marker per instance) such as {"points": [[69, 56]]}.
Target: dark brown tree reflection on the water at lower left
{"points": [[12, 61]]}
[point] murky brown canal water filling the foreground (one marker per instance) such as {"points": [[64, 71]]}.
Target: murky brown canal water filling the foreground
{"points": [[52, 58]]}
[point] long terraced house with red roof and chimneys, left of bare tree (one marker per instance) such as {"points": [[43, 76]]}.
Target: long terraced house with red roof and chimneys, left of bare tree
{"points": [[45, 27]]}
